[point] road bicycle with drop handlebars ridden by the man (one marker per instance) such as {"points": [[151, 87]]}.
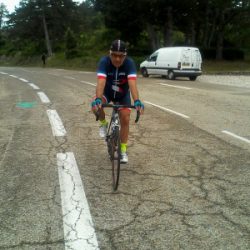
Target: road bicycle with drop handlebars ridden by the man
{"points": [[113, 139]]}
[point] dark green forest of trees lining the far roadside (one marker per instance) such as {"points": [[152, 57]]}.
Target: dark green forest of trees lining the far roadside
{"points": [[220, 28]]}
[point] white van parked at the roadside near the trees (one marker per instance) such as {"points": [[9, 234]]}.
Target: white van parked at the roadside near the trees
{"points": [[173, 62]]}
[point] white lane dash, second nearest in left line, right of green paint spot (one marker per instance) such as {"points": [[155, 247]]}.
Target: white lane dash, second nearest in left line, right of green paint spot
{"points": [[56, 123]]}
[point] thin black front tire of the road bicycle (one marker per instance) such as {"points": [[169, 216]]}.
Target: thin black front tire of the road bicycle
{"points": [[115, 157]]}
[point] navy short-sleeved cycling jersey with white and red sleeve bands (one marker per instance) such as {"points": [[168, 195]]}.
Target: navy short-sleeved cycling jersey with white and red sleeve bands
{"points": [[116, 87]]}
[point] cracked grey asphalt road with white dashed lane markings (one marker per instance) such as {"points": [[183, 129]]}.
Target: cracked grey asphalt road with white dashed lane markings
{"points": [[186, 186]]}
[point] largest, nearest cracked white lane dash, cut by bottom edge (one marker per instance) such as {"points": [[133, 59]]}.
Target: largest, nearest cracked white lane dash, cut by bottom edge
{"points": [[79, 232]]}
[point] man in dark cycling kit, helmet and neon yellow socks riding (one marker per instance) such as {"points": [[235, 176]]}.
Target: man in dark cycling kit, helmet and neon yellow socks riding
{"points": [[116, 79]]}
